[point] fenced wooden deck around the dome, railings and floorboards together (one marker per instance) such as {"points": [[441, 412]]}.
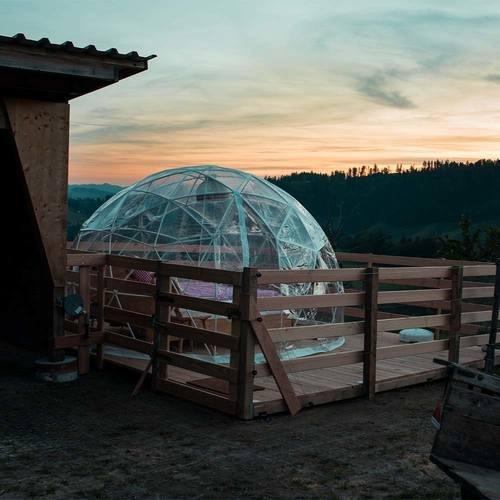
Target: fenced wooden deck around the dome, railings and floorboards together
{"points": [[453, 299]]}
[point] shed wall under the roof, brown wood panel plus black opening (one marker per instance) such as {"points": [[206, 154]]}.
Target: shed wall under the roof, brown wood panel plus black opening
{"points": [[34, 150]]}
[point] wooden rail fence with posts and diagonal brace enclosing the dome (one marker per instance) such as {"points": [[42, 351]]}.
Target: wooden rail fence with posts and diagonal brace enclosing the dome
{"points": [[422, 285]]}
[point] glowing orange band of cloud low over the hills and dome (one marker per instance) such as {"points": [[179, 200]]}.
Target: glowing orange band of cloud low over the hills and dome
{"points": [[383, 138]]}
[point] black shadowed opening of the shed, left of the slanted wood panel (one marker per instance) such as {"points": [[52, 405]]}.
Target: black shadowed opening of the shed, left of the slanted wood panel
{"points": [[27, 285]]}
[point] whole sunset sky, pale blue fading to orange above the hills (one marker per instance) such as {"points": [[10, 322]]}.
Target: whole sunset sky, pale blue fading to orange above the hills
{"points": [[276, 86]]}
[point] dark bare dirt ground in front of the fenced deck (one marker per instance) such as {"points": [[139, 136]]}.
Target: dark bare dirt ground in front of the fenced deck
{"points": [[89, 439]]}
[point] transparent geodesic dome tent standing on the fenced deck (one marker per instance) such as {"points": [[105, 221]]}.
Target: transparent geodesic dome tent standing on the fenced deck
{"points": [[216, 217]]}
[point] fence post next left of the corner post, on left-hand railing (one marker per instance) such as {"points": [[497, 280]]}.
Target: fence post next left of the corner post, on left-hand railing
{"points": [[162, 315]]}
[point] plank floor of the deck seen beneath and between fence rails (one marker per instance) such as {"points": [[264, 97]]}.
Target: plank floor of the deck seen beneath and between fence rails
{"points": [[327, 385]]}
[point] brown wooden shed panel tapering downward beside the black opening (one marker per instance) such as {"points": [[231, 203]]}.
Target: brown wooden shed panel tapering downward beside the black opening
{"points": [[40, 131]]}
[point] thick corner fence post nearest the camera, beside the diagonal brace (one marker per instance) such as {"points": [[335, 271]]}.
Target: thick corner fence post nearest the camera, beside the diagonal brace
{"points": [[244, 359]]}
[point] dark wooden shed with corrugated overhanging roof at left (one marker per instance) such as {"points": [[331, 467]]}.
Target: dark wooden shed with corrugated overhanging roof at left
{"points": [[37, 81]]}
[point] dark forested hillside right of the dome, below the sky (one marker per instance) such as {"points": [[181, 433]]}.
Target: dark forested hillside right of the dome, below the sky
{"points": [[369, 209]]}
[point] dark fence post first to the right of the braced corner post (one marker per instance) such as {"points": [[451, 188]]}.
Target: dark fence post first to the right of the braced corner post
{"points": [[370, 337]]}
